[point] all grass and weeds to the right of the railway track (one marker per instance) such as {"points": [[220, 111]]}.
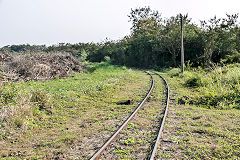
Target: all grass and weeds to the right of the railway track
{"points": [[204, 118]]}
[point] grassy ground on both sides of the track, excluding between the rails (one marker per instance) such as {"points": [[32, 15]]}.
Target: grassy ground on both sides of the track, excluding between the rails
{"points": [[62, 118]]}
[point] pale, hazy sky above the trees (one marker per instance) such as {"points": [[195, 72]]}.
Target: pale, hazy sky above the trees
{"points": [[73, 21]]}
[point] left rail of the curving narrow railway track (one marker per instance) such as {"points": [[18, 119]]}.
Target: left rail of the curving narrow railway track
{"points": [[97, 154]]}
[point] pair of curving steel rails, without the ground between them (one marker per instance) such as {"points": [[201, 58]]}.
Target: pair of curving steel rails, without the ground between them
{"points": [[111, 139]]}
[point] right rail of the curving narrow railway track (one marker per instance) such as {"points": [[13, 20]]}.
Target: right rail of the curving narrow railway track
{"points": [[163, 120]]}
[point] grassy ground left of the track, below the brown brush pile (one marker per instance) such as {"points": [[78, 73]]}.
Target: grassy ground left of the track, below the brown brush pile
{"points": [[63, 118]]}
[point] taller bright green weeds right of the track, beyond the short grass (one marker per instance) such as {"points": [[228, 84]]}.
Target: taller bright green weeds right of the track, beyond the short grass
{"points": [[210, 88]]}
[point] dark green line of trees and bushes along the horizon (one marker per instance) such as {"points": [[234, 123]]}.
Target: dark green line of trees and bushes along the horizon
{"points": [[154, 42]]}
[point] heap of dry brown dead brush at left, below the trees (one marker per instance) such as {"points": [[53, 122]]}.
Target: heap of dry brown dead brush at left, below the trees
{"points": [[37, 66]]}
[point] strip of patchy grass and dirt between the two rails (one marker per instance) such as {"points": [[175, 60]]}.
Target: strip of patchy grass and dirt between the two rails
{"points": [[137, 139]]}
